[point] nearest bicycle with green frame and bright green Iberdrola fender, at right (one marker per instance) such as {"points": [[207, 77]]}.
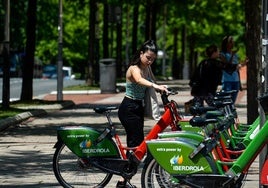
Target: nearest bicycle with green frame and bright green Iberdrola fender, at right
{"points": [[170, 165]]}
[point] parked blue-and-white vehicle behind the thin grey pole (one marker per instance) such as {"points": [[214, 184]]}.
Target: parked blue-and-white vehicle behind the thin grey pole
{"points": [[50, 72]]}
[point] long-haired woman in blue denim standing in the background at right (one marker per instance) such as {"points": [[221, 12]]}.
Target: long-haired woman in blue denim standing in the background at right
{"points": [[230, 75]]}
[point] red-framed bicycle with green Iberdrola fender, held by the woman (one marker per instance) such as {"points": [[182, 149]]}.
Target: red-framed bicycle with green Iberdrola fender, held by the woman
{"points": [[87, 157]]}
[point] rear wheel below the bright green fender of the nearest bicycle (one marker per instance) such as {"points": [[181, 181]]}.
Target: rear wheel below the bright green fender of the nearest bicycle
{"points": [[154, 176]]}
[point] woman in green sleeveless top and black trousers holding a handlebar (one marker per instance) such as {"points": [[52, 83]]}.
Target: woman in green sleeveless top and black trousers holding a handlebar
{"points": [[131, 112]]}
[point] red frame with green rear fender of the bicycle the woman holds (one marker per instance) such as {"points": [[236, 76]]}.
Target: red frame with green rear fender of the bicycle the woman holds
{"points": [[105, 150]]}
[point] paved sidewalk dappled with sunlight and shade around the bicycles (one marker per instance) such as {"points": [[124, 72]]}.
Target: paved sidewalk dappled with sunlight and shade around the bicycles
{"points": [[27, 149]]}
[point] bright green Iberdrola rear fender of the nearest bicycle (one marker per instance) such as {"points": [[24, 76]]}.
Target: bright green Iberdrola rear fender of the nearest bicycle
{"points": [[173, 156]]}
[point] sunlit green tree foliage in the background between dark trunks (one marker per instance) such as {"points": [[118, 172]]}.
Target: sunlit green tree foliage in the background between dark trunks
{"points": [[206, 22]]}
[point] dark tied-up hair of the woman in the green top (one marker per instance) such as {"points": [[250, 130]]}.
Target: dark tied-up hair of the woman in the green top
{"points": [[149, 45]]}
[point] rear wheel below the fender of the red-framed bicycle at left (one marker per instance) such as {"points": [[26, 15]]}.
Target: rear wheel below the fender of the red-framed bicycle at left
{"points": [[72, 171]]}
